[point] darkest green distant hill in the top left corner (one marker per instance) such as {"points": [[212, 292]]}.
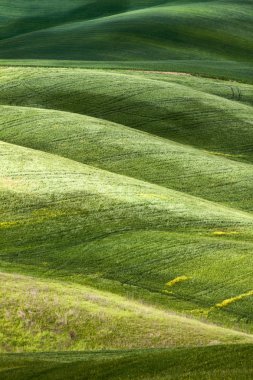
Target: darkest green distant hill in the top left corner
{"points": [[19, 17]]}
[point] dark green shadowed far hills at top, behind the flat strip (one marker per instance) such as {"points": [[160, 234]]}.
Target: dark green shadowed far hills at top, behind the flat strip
{"points": [[128, 30]]}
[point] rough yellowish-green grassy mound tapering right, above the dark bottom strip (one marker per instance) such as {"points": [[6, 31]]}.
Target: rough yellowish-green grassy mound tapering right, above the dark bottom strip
{"points": [[56, 316]]}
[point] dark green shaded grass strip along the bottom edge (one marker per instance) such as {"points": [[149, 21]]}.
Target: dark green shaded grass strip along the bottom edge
{"points": [[220, 362]]}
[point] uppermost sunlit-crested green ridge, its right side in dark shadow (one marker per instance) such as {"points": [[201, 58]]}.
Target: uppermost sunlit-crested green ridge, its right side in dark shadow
{"points": [[162, 108]]}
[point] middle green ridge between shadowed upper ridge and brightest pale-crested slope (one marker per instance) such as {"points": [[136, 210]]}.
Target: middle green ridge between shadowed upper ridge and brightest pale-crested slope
{"points": [[130, 152]]}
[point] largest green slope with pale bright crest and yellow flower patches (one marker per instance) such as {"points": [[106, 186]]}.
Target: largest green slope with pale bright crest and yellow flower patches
{"points": [[61, 217]]}
